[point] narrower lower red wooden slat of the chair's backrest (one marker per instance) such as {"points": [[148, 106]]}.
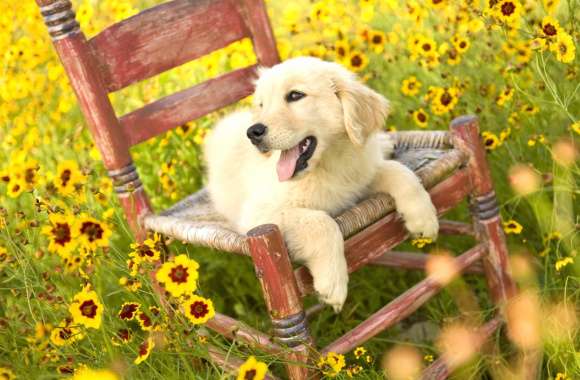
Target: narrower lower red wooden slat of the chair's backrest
{"points": [[189, 104]]}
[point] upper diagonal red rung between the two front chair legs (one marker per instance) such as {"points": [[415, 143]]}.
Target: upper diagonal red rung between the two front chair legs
{"points": [[400, 307]]}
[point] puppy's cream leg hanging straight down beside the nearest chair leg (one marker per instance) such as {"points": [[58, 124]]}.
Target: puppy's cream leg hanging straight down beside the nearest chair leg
{"points": [[314, 238]]}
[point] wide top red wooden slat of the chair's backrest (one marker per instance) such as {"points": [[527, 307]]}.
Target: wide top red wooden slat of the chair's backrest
{"points": [[164, 37]]}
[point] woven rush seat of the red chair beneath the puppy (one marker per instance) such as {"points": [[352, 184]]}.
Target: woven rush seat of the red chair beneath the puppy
{"points": [[193, 220]]}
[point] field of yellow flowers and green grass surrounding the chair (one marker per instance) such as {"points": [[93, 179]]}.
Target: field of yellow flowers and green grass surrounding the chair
{"points": [[76, 297]]}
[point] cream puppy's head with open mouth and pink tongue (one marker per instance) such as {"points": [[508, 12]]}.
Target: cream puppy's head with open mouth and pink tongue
{"points": [[304, 105]]}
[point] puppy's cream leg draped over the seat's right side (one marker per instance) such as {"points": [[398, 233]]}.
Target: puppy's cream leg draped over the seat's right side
{"points": [[411, 198]]}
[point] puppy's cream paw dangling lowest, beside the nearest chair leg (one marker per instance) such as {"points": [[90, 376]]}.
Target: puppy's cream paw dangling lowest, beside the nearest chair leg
{"points": [[332, 287]]}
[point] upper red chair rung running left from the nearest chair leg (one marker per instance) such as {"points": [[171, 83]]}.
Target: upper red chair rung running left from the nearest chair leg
{"points": [[234, 329]]}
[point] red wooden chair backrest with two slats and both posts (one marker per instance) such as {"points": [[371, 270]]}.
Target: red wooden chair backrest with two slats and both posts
{"points": [[142, 46]]}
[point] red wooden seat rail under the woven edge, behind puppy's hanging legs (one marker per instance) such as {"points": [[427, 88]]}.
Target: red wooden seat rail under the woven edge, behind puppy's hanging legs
{"points": [[390, 231]]}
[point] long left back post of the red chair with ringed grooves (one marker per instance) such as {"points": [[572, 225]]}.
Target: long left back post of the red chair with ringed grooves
{"points": [[79, 64]]}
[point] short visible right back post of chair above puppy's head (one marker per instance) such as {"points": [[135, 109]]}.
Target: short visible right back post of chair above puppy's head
{"points": [[258, 22]]}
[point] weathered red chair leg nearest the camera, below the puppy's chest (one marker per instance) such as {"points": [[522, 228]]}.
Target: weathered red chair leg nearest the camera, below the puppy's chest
{"points": [[274, 271]]}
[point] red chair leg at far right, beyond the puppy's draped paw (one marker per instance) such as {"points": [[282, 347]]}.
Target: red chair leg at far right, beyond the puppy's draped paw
{"points": [[485, 210]]}
